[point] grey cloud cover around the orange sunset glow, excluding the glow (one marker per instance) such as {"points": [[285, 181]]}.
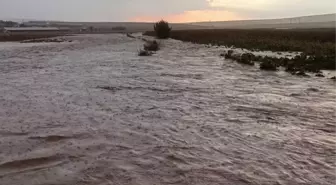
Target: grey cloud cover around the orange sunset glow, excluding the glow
{"points": [[123, 10]]}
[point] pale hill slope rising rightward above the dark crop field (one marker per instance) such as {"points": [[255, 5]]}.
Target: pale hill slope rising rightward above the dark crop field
{"points": [[314, 21]]}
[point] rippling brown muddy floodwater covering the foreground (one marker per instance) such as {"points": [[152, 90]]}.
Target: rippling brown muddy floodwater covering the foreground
{"points": [[92, 112]]}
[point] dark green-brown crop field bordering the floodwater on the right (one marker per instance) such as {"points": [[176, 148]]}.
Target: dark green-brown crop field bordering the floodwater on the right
{"points": [[317, 47]]}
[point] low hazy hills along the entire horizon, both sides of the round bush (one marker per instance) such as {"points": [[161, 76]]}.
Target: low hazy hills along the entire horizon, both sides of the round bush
{"points": [[314, 21]]}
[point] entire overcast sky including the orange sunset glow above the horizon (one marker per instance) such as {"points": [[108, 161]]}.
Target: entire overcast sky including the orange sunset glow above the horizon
{"points": [[152, 10]]}
